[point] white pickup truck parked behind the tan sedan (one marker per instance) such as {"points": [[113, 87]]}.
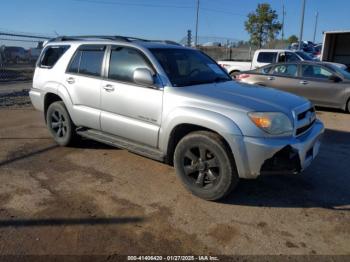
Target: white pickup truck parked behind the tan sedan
{"points": [[263, 57]]}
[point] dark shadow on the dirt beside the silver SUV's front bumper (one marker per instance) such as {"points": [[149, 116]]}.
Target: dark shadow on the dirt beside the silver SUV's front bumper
{"points": [[324, 184]]}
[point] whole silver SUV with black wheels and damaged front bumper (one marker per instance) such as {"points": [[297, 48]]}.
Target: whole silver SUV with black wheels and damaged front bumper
{"points": [[172, 104]]}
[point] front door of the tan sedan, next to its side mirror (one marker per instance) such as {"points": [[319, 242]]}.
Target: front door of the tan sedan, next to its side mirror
{"points": [[316, 85]]}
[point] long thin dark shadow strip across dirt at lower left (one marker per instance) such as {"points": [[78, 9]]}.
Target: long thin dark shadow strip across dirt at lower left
{"points": [[68, 221]]}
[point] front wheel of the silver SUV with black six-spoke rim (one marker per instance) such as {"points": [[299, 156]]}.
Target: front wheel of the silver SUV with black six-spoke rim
{"points": [[205, 165]]}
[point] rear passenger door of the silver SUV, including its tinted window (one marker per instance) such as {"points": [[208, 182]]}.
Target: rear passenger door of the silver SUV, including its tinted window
{"points": [[83, 81]]}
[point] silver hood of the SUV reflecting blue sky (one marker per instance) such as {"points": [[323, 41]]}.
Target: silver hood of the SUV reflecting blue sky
{"points": [[242, 97]]}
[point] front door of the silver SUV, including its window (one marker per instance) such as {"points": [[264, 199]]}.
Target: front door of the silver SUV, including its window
{"points": [[130, 110]]}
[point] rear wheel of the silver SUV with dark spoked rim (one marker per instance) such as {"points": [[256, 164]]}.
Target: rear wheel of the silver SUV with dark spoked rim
{"points": [[60, 124]]}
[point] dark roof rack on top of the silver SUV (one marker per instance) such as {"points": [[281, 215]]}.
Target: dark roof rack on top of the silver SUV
{"points": [[109, 37]]}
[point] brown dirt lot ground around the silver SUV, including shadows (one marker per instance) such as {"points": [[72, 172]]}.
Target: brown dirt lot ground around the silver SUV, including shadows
{"points": [[94, 199]]}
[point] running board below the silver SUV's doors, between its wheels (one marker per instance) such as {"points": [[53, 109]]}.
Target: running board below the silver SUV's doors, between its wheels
{"points": [[119, 142]]}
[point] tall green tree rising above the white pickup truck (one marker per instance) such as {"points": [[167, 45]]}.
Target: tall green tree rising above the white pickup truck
{"points": [[262, 25]]}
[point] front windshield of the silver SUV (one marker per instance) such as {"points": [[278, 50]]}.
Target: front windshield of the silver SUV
{"points": [[186, 67]]}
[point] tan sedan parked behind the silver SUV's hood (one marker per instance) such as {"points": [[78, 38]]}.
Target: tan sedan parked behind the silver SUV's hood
{"points": [[325, 84]]}
